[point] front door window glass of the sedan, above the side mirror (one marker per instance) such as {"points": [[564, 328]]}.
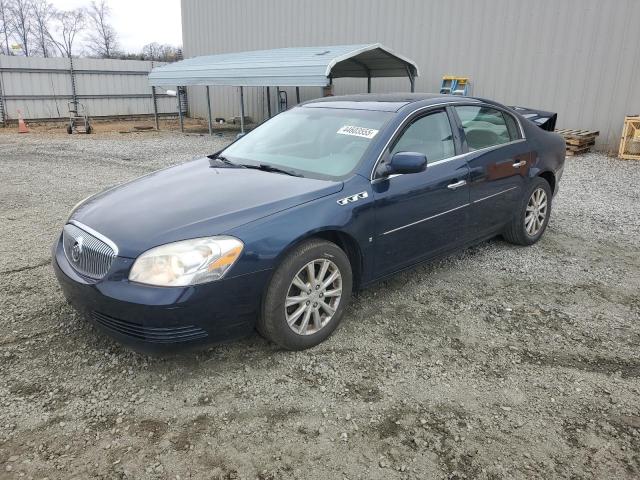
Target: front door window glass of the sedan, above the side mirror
{"points": [[430, 135]]}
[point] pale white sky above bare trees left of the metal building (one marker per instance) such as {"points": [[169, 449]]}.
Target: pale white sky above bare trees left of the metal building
{"points": [[139, 22]]}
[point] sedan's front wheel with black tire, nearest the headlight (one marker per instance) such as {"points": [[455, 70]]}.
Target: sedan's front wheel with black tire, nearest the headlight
{"points": [[307, 295]]}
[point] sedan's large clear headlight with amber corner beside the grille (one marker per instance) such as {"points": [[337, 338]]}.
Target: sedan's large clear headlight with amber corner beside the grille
{"points": [[189, 262]]}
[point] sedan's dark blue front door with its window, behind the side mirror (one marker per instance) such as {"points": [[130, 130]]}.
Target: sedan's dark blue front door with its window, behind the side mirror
{"points": [[423, 214]]}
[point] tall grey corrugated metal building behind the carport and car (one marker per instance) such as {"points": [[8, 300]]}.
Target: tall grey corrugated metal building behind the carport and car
{"points": [[579, 58]]}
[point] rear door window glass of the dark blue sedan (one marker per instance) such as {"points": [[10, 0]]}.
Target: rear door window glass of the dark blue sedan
{"points": [[487, 127]]}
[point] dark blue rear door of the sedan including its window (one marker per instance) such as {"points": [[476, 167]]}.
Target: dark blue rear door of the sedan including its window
{"points": [[499, 159]]}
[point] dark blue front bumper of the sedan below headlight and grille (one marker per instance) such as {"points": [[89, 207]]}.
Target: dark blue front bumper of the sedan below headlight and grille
{"points": [[160, 319]]}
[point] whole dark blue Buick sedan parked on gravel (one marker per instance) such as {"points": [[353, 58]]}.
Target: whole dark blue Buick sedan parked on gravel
{"points": [[276, 231]]}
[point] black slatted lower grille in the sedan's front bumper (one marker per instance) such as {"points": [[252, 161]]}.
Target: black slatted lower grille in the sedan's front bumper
{"points": [[183, 333]]}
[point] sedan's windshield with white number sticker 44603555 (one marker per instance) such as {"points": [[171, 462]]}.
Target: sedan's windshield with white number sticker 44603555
{"points": [[314, 142]]}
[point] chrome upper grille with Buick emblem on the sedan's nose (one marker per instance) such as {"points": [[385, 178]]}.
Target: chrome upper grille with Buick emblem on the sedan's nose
{"points": [[87, 254]]}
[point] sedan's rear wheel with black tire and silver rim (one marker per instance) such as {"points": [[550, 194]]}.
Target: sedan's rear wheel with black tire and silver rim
{"points": [[530, 221]]}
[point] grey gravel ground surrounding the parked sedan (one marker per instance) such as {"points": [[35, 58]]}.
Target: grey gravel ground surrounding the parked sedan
{"points": [[497, 362]]}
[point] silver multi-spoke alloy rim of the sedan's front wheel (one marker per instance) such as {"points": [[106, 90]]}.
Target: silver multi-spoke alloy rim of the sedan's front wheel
{"points": [[313, 296]]}
